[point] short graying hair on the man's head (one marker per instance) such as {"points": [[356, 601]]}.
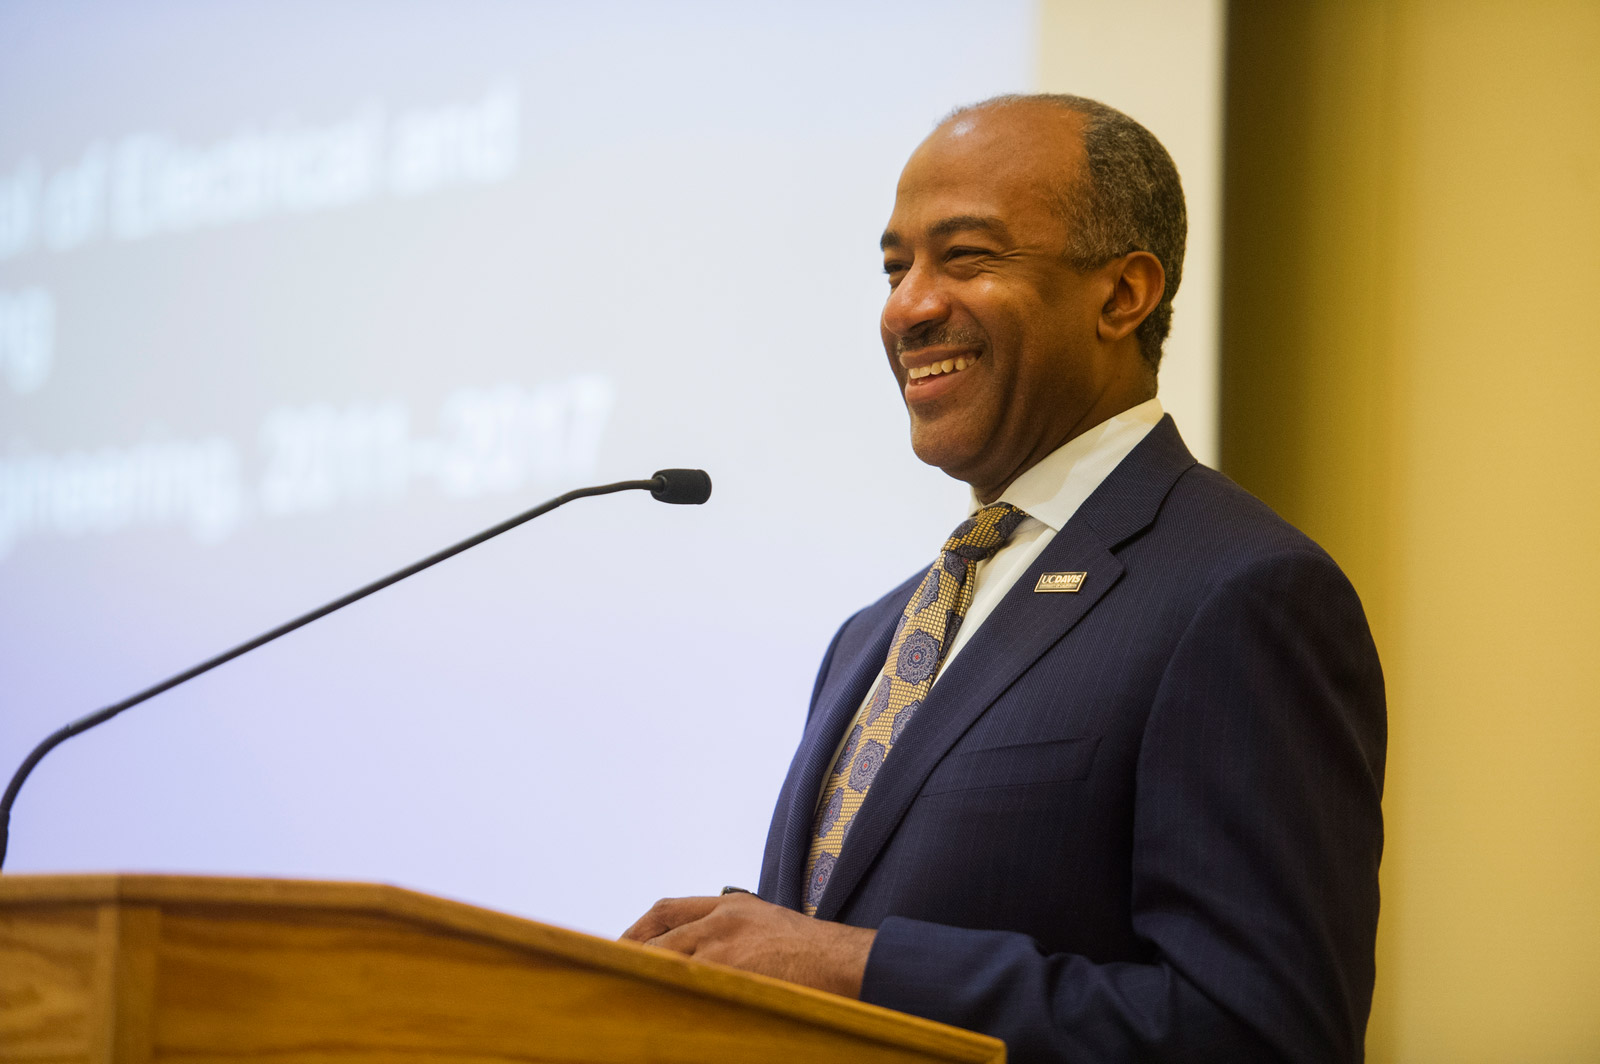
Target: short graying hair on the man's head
{"points": [[1129, 199]]}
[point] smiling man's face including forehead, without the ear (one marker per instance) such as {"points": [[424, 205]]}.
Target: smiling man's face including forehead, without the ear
{"points": [[978, 278]]}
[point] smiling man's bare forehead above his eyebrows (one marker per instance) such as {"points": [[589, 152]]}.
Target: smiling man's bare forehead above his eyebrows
{"points": [[1010, 164]]}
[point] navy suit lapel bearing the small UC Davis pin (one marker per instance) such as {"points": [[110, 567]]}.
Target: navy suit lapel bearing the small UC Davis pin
{"points": [[1010, 641]]}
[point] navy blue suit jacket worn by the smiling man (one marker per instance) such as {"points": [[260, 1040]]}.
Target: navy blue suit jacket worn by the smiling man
{"points": [[1137, 823]]}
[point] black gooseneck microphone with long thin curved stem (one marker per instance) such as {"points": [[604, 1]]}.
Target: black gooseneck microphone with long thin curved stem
{"points": [[684, 487]]}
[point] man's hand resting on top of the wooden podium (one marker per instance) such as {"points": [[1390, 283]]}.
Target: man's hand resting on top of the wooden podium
{"points": [[745, 932]]}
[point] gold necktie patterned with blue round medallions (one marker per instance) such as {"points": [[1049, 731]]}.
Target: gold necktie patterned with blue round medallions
{"points": [[926, 631]]}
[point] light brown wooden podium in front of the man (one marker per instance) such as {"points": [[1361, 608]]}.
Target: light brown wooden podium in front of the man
{"points": [[134, 969]]}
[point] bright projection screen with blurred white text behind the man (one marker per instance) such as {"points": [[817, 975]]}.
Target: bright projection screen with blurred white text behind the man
{"points": [[295, 294]]}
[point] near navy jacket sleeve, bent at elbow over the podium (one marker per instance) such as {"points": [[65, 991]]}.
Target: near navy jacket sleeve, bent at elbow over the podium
{"points": [[1257, 838]]}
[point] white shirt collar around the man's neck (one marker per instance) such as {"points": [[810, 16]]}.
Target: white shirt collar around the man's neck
{"points": [[1054, 490]]}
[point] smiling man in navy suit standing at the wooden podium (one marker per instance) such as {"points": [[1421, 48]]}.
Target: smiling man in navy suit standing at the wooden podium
{"points": [[1106, 780]]}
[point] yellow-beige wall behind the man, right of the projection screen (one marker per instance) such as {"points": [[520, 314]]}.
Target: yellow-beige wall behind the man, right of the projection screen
{"points": [[1410, 372]]}
